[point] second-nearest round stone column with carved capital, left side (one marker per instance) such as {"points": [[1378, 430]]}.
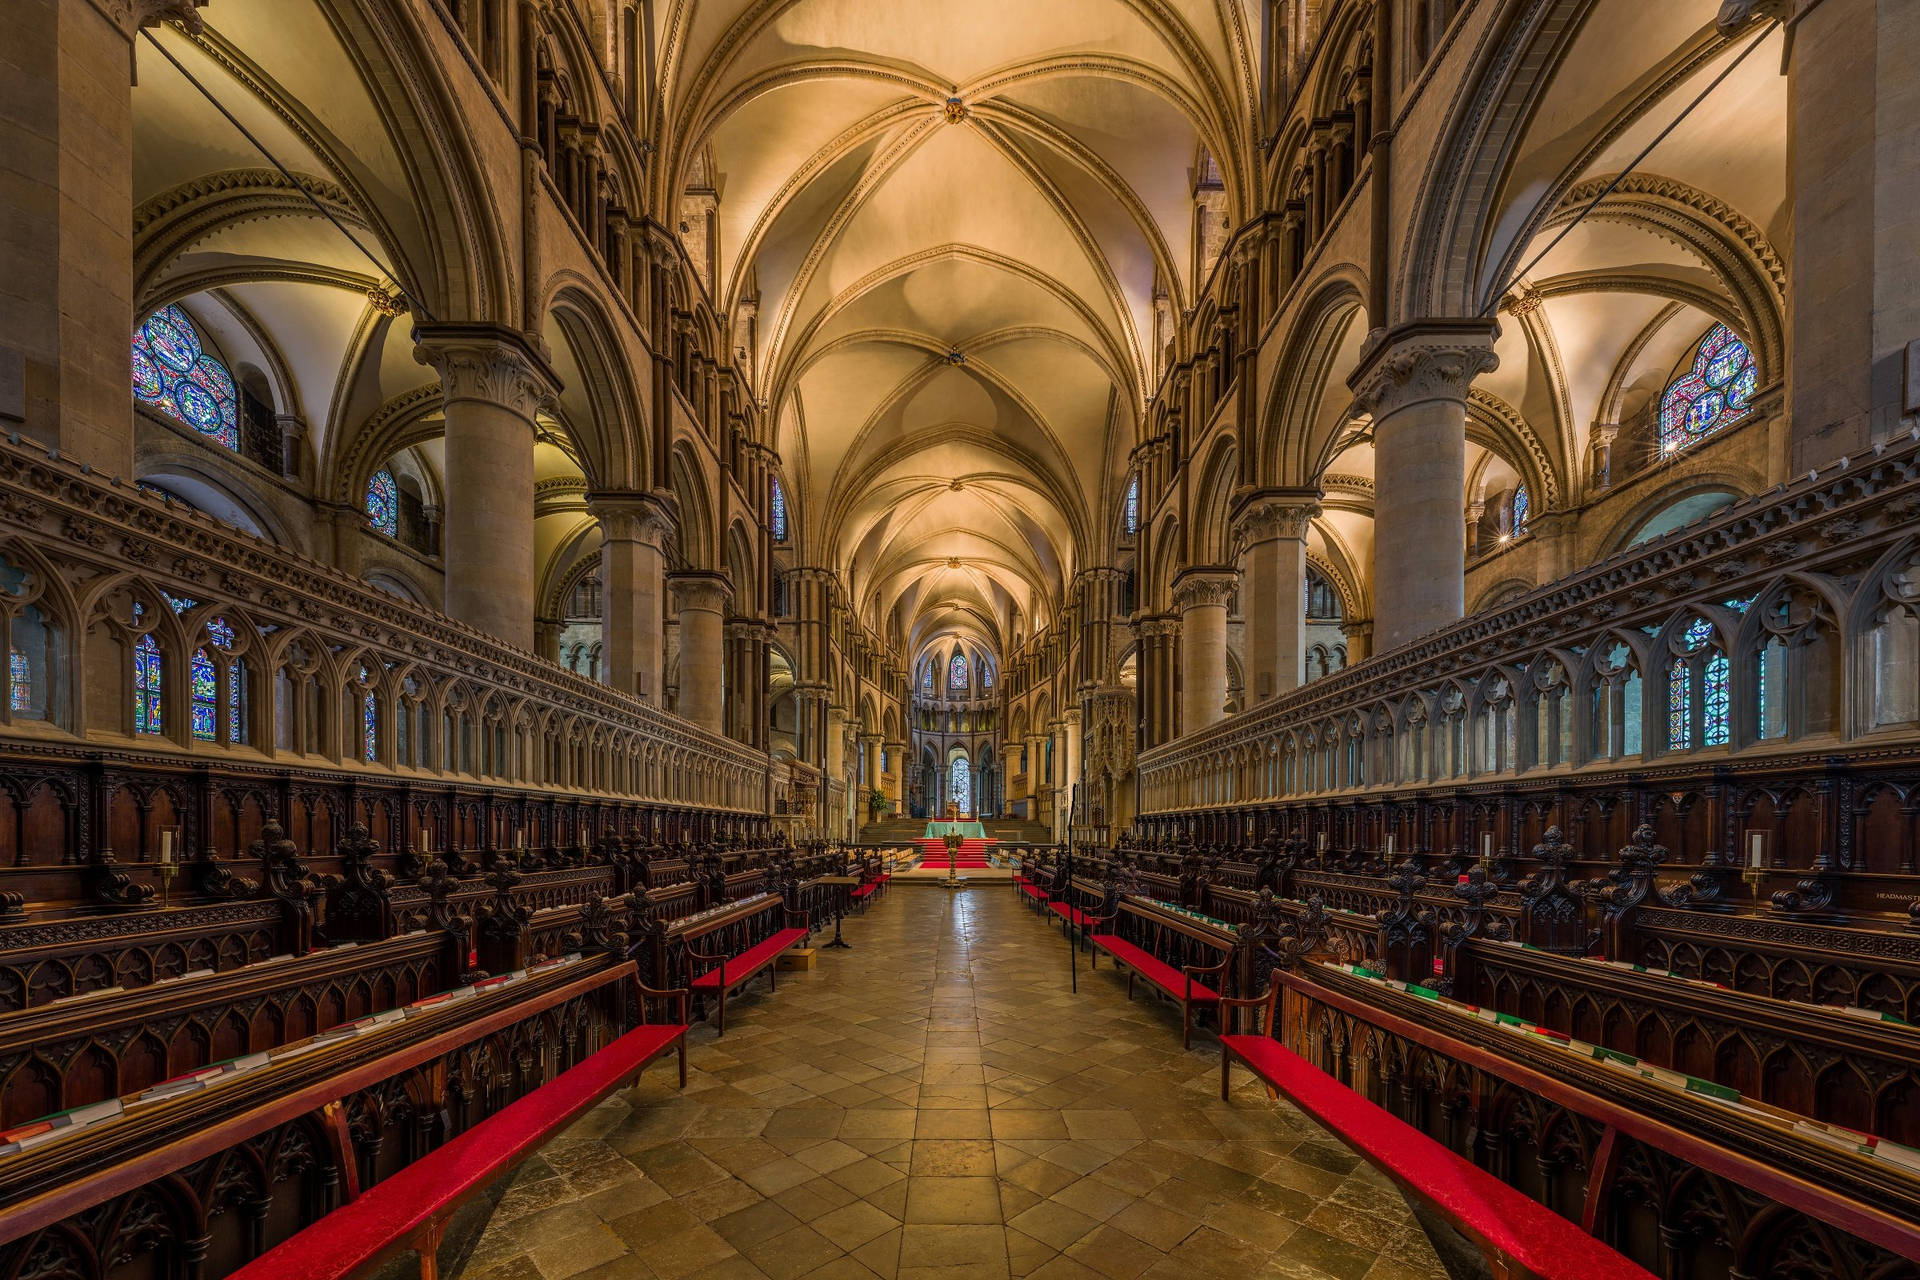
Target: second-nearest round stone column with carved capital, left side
{"points": [[635, 534]]}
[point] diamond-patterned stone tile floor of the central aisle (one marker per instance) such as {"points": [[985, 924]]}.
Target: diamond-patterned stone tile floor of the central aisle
{"points": [[938, 1102]]}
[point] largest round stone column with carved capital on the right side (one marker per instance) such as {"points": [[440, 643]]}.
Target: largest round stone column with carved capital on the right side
{"points": [[1414, 383]]}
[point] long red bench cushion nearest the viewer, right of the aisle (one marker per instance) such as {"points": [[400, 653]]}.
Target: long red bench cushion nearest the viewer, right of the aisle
{"points": [[1464, 1193]]}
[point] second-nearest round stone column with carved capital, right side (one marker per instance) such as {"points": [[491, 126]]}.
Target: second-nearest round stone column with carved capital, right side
{"points": [[1272, 533]]}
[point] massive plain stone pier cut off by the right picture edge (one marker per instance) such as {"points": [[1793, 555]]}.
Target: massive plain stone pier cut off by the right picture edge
{"points": [[1854, 181]]}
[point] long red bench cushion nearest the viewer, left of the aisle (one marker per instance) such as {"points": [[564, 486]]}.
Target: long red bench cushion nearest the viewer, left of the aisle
{"points": [[385, 1214]]}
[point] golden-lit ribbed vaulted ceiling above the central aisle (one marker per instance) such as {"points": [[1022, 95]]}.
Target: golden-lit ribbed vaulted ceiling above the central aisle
{"points": [[953, 222]]}
